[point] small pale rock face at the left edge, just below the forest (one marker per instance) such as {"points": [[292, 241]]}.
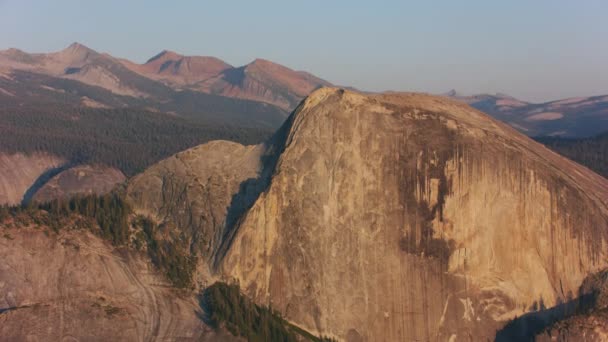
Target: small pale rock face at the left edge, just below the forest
{"points": [[19, 172]]}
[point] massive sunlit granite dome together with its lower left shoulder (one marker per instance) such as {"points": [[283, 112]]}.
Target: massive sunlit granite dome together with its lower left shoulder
{"points": [[387, 217]]}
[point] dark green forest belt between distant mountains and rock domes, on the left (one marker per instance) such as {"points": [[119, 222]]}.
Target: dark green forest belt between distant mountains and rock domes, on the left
{"points": [[128, 139]]}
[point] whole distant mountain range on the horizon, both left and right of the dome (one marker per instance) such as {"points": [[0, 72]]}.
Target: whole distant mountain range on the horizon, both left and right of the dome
{"points": [[259, 94]]}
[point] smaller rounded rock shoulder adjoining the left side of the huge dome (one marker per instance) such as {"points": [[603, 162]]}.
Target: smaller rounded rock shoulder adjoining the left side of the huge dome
{"points": [[202, 190]]}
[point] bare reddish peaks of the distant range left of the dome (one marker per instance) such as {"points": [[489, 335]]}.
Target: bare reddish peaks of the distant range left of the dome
{"points": [[261, 81]]}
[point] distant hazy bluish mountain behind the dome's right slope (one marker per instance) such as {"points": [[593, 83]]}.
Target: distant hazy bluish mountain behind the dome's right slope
{"points": [[574, 117]]}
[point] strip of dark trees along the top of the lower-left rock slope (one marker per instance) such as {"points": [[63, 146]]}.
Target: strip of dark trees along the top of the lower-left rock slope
{"points": [[110, 217]]}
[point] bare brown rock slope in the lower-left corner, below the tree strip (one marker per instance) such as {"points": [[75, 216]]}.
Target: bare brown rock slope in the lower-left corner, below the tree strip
{"points": [[75, 287]]}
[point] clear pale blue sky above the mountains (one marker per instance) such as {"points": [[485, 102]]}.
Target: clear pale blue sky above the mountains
{"points": [[535, 50]]}
